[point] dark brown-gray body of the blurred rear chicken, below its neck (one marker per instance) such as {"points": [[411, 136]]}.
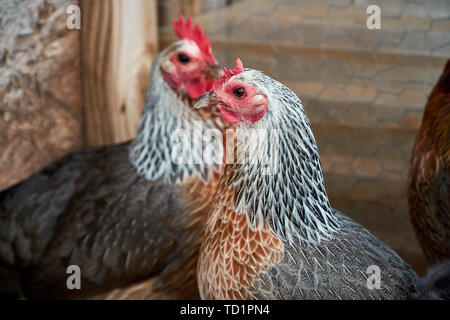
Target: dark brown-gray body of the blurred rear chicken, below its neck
{"points": [[93, 210]]}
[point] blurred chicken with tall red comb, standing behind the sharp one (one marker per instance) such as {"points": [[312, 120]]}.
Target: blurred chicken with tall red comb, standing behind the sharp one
{"points": [[123, 213]]}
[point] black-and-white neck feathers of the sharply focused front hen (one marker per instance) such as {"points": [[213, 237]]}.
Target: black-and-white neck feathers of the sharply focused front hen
{"points": [[298, 204]]}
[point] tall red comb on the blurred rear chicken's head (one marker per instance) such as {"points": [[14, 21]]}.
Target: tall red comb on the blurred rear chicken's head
{"points": [[185, 31]]}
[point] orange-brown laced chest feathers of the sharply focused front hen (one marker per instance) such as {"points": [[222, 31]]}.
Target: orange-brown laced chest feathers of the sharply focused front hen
{"points": [[234, 253]]}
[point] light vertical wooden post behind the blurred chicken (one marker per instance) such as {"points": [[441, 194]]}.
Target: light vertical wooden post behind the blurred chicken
{"points": [[118, 42]]}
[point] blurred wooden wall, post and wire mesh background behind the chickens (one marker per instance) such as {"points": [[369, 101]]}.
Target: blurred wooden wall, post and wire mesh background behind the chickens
{"points": [[364, 90]]}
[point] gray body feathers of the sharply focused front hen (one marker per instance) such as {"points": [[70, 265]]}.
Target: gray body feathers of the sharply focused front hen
{"points": [[337, 269]]}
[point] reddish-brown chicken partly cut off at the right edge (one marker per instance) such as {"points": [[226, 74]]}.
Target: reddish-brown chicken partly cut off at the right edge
{"points": [[429, 175]]}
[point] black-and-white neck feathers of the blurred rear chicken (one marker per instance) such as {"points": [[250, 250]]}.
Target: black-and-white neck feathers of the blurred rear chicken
{"points": [[165, 114]]}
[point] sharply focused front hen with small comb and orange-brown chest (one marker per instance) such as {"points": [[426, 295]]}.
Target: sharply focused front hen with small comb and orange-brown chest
{"points": [[271, 232]]}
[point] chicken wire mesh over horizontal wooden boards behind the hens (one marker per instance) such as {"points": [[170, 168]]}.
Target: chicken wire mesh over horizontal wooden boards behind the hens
{"points": [[363, 90]]}
